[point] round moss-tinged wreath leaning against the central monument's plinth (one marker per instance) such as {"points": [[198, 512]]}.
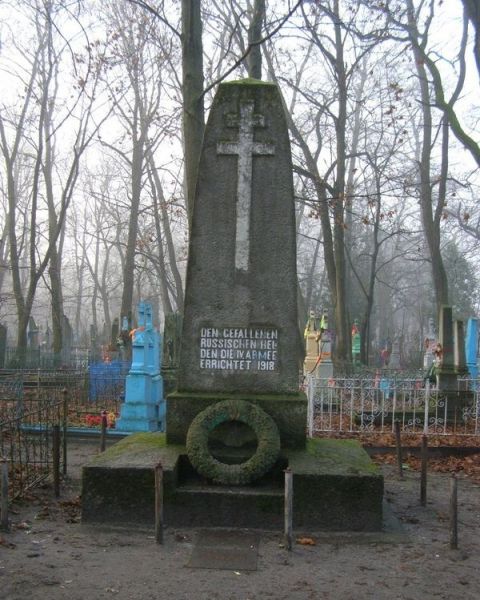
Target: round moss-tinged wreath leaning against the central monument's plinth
{"points": [[268, 438]]}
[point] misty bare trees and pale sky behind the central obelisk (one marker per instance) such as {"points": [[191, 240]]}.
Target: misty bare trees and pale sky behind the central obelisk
{"points": [[101, 123]]}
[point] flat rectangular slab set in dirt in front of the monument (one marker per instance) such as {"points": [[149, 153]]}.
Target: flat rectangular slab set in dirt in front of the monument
{"points": [[227, 549]]}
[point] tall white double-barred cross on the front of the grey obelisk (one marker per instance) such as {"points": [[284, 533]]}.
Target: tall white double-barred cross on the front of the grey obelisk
{"points": [[245, 148]]}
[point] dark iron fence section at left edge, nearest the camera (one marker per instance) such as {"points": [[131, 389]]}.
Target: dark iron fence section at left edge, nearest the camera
{"points": [[26, 426]]}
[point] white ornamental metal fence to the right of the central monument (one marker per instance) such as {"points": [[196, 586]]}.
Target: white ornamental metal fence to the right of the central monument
{"points": [[373, 405]]}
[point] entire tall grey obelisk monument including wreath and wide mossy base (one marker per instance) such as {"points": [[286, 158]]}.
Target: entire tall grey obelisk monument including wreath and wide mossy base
{"points": [[238, 419]]}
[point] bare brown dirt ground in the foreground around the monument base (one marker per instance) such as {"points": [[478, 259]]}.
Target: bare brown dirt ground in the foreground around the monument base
{"points": [[49, 555]]}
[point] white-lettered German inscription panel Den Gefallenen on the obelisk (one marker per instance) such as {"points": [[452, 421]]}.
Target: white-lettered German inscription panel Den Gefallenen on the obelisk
{"points": [[238, 348]]}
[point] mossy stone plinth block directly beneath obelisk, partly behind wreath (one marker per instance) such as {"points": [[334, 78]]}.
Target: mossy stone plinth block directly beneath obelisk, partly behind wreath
{"points": [[289, 411]]}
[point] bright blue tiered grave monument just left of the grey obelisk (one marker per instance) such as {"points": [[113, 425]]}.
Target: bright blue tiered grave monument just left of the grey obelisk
{"points": [[144, 406]]}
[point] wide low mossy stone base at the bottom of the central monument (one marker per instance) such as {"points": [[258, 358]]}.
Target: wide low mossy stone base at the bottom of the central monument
{"points": [[336, 487]]}
